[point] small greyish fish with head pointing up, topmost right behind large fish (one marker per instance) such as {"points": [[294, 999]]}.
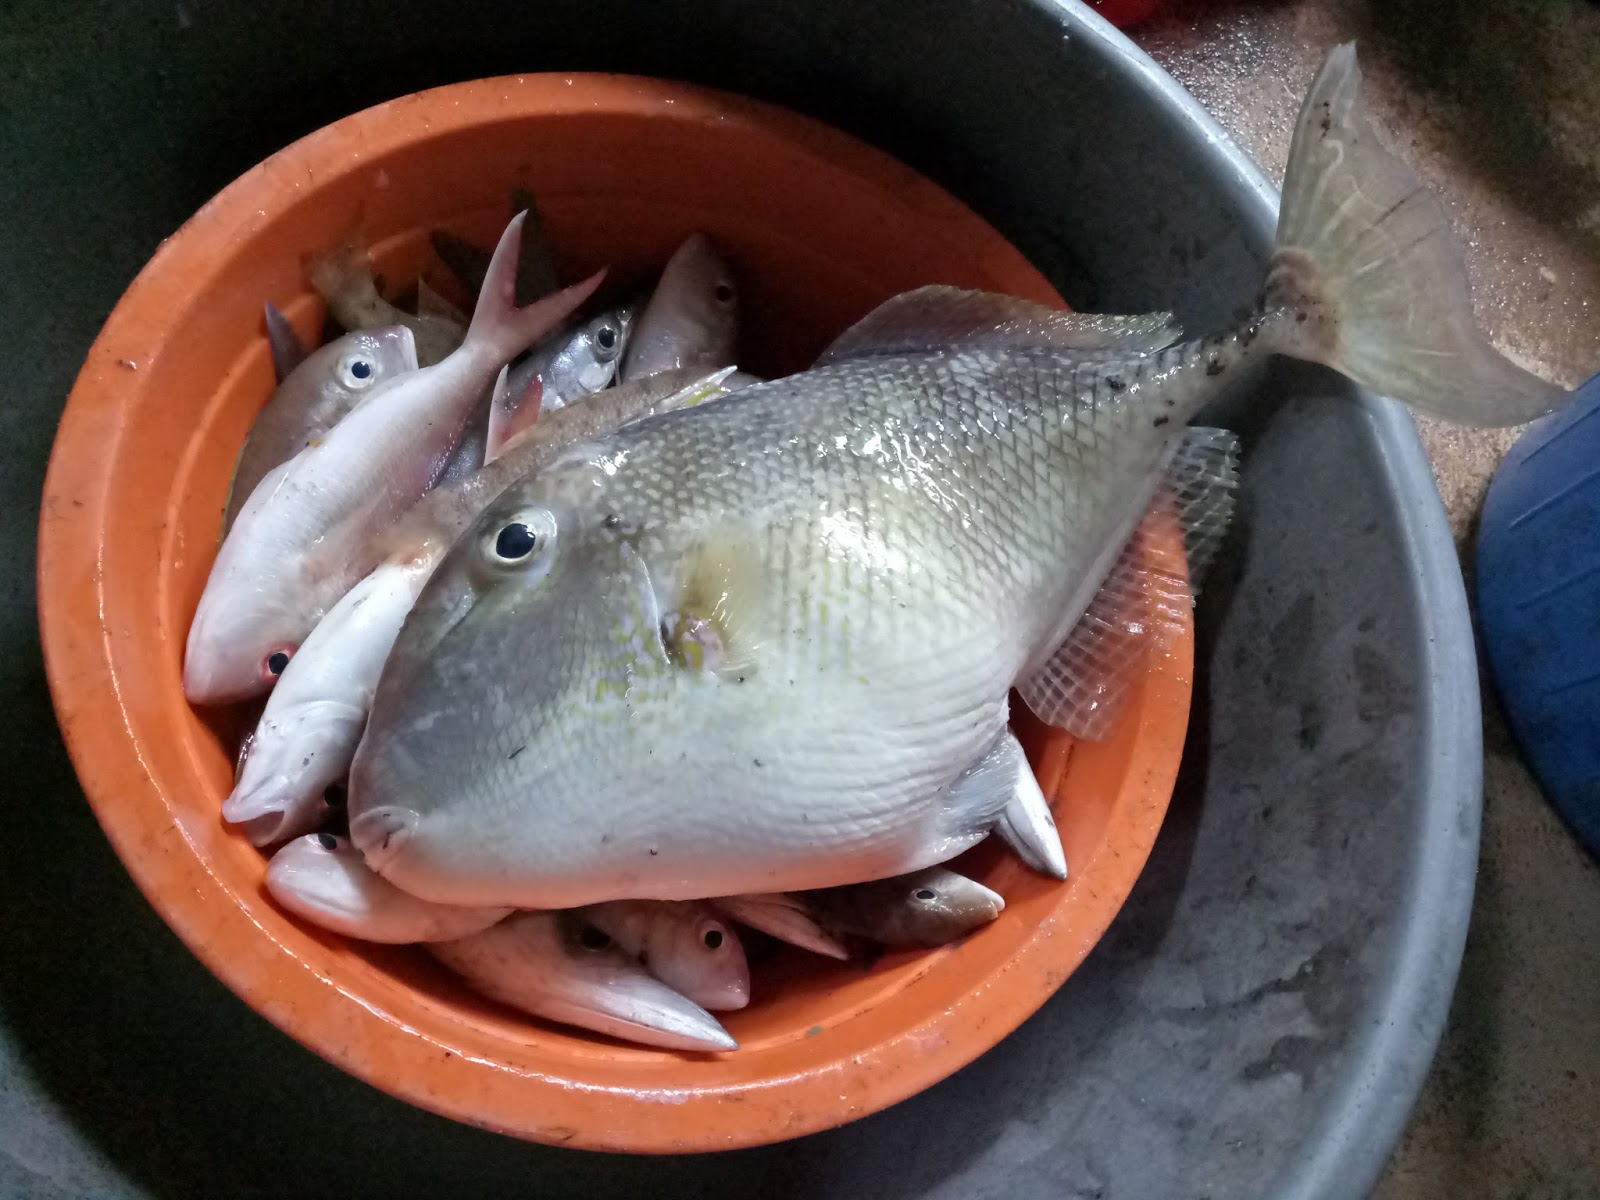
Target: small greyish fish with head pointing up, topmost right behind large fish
{"points": [[692, 318]]}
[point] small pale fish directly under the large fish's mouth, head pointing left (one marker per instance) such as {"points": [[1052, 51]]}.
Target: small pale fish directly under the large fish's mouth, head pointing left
{"points": [[324, 881]]}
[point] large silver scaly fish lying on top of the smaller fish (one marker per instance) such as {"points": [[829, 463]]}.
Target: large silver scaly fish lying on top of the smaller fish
{"points": [[767, 644]]}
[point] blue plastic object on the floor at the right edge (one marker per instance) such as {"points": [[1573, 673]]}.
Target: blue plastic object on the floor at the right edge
{"points": [[1540, 604]]}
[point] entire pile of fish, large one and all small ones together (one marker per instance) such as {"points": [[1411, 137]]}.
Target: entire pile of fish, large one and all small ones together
{"points": [[617, 647]]}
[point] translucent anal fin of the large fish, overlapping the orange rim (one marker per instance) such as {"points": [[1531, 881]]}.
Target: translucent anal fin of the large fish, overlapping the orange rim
{"points": [[1142, 607]]}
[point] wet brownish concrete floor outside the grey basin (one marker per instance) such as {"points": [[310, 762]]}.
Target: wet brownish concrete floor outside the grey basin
{"points": [[1495, 103]]}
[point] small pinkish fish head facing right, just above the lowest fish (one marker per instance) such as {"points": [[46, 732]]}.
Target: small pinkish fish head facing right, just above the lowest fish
{"points": [[682, 943]]}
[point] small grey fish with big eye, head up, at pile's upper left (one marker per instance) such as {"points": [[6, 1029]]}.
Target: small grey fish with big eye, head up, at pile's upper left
{"points": [[316, 396]]}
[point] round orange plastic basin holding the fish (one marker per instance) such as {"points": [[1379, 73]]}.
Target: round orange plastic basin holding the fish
{"points": [[820, 230]]}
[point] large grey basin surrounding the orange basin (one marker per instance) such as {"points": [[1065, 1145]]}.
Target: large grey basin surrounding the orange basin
{"points": [[1258, 1020]]}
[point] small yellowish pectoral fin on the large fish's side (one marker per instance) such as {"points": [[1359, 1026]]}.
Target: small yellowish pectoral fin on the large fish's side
{"points": [[716, 623]]}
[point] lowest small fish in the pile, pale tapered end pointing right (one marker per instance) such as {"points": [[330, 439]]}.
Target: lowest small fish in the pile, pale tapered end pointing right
{"points": [[540, 964]]}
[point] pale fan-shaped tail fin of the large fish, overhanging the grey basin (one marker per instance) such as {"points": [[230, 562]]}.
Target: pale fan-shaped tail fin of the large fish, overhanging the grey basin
{"points": [[1366, 278]]}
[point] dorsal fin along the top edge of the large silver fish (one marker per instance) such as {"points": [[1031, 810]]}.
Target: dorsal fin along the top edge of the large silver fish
{"points": [[942, 318]]}
